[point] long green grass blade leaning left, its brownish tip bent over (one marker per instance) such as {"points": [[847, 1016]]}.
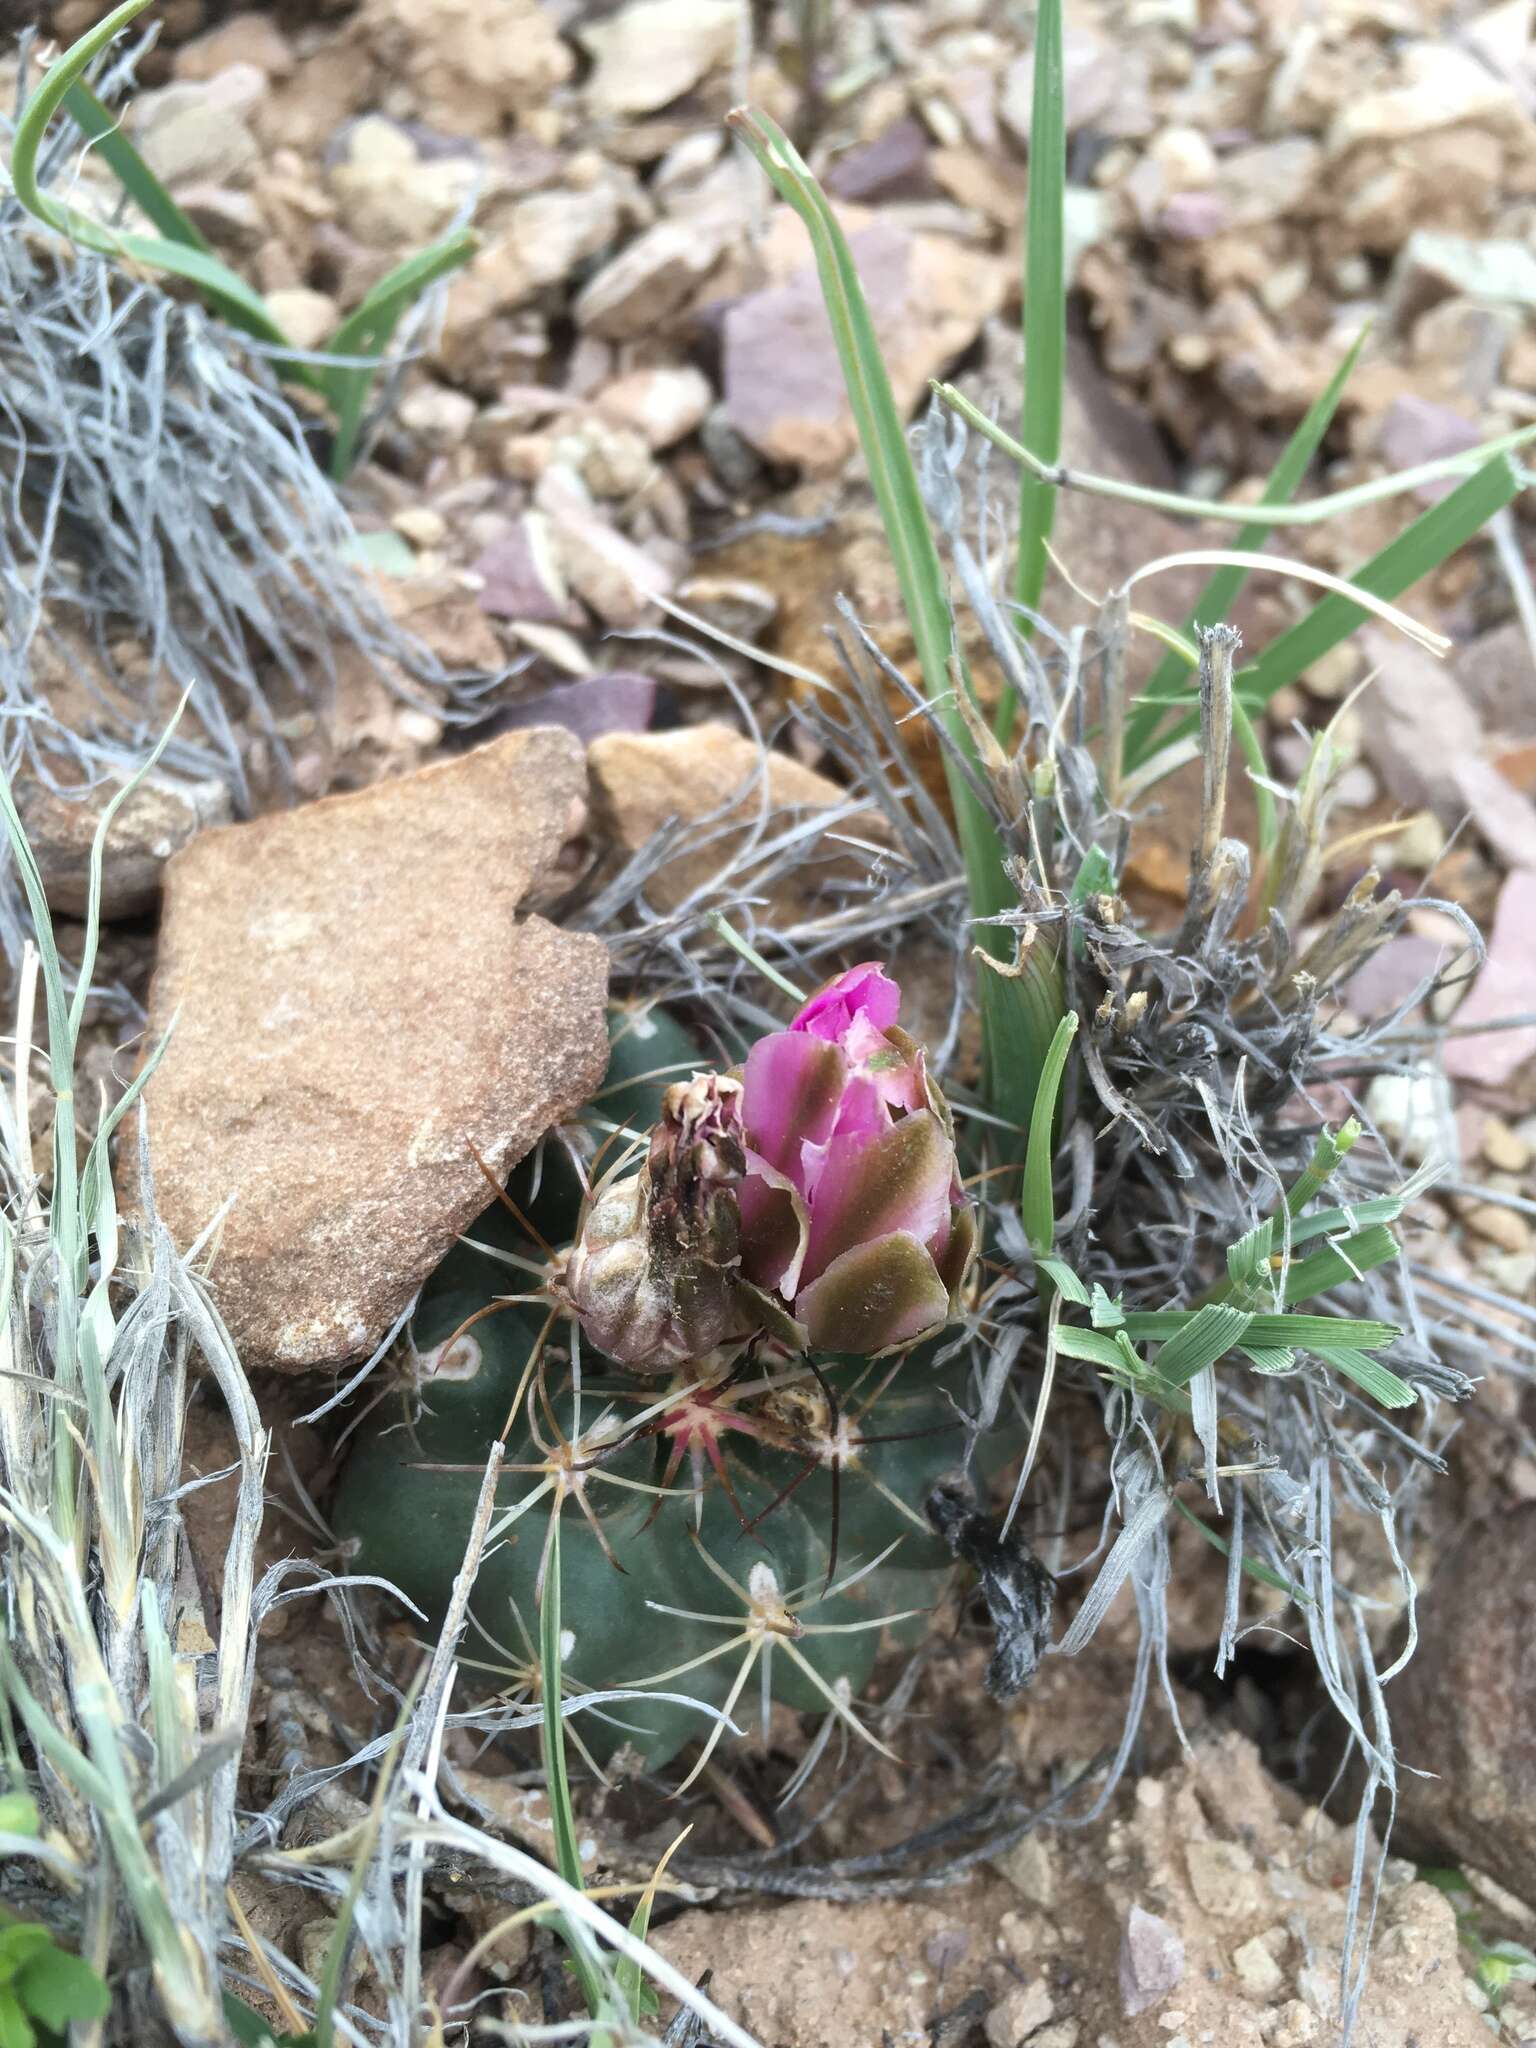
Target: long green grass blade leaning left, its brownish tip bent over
{"points": [[1019, 1017]]}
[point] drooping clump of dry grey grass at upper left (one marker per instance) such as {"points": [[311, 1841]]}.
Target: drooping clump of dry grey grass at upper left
{"points": [[165, 501]]}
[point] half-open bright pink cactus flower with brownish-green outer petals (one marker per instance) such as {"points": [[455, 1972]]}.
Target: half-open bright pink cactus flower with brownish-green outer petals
{"points": [[853, 1211]]}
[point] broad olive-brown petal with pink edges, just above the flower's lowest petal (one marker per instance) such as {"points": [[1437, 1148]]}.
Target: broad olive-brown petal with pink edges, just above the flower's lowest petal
{"points": [[898, 1181]]}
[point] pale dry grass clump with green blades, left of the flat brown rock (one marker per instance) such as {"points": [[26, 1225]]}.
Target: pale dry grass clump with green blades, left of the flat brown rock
{"points": [[132, 1777]]}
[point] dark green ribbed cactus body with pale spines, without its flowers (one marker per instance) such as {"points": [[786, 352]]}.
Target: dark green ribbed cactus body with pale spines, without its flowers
{"points": [[746, 1555]]}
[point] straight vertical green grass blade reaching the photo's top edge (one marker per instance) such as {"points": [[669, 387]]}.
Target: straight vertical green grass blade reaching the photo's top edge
{"points": [[1046, 312]]}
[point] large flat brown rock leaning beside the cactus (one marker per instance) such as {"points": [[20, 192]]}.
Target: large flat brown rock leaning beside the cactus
{"points": [[357, 1002]]}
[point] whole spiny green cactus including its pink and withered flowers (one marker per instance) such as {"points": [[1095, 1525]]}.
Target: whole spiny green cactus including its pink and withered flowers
{"points": [[740, 1519]]}
